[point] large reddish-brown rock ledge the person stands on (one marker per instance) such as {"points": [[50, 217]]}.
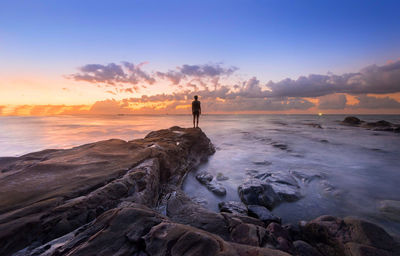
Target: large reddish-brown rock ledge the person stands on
{"points": [[46, 194]]}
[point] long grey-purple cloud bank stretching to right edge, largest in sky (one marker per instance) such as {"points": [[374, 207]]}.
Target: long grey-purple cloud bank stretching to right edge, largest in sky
{"points": [[372, 79]]}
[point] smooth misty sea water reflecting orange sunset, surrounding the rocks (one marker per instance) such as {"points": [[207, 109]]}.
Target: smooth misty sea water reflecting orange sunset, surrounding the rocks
{"points": [[355, 169]]}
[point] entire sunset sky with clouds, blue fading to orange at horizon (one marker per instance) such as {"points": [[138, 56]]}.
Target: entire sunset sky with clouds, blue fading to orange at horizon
{"points": [[152, 57]]}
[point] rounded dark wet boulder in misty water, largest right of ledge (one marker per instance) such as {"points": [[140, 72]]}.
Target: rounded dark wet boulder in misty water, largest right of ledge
{"points": [[258, 192]]}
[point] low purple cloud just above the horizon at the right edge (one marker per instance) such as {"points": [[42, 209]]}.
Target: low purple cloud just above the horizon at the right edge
{"points": [[370, 102]]}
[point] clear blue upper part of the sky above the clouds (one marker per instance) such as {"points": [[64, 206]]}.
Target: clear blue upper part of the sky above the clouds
{"points": [[269, 39]]}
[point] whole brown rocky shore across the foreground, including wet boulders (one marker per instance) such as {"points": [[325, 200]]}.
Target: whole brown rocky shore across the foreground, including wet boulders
{"points": [[127, 201]]}
